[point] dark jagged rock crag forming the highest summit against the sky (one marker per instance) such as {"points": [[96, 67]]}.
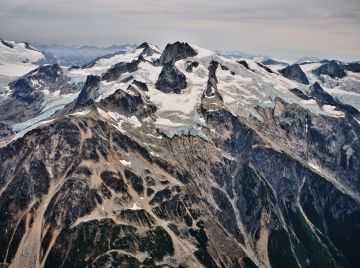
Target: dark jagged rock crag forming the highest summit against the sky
{"points": [[176, 51]]}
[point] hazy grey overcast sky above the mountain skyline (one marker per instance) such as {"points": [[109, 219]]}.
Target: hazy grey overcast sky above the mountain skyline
{"points": [[282, 28]]}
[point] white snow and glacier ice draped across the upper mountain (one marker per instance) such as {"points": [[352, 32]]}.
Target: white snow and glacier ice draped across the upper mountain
{"points": [[243, 90]]}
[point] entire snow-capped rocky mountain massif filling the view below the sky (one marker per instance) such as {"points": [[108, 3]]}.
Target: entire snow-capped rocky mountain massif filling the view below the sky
{"points": [[180, 158]]}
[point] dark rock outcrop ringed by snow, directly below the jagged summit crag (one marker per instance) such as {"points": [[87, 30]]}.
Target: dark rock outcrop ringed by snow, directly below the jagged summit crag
{"points": [[171, 80]]}
